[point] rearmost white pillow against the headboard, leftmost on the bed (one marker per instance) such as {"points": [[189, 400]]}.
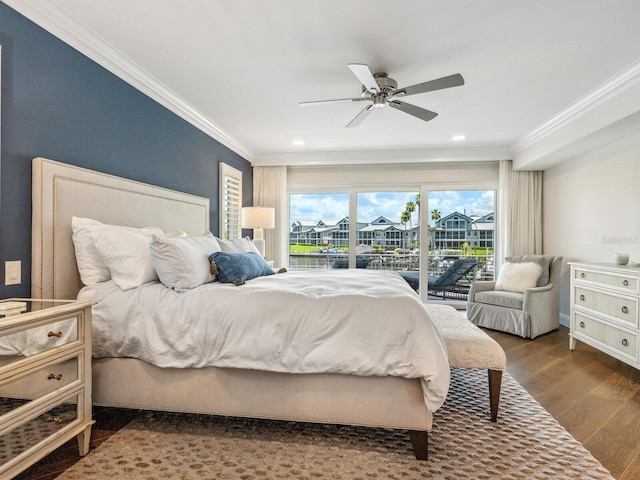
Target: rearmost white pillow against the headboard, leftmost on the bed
{"points": [[90, 265]]}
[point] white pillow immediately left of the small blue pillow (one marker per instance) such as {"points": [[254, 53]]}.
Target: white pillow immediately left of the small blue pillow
{"points": [[182, 262]]}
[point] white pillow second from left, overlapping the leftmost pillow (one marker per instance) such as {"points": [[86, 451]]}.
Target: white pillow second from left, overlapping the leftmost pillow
{"points": [[126, 253]]}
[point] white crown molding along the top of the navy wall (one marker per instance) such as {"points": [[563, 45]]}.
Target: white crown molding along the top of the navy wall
{"points": [[51, 18]]}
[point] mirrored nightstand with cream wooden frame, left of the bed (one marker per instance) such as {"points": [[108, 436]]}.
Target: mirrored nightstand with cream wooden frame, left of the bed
{"points": [[45, 379]]}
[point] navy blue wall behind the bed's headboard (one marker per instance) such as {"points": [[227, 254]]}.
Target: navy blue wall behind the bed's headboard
{"points": [[58, 104]]}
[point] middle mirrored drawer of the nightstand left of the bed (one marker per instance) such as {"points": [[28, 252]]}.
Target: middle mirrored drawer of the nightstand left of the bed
{"points": [[36, 383]]}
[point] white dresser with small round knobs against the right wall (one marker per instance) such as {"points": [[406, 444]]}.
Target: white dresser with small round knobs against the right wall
{"points": [[604, 309]]}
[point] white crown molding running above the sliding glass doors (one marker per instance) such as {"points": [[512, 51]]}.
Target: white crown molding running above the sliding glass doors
{"points": [[368, 157]]}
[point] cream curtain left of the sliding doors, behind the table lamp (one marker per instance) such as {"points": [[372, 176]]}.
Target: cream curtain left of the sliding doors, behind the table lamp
{"points": [[270, 190]]}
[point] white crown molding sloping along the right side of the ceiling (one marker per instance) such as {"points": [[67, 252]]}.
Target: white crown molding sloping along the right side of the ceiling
{"points": [[615, 86]]}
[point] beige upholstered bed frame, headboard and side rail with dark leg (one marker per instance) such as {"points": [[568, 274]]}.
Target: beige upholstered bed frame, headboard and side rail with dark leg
{"points": [[62, 191]]}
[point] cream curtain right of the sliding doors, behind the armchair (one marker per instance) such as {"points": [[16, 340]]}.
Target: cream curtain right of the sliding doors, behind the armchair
{"points": [[520, 211]]}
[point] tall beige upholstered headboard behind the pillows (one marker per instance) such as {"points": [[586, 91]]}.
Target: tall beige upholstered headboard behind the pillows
{"points": [[62, 191]]}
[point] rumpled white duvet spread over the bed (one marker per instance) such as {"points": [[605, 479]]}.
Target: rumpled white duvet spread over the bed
{"points": [[356, 322]]}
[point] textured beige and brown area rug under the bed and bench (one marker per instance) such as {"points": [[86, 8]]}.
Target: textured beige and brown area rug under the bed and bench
{"points": [[525, 443]]}
